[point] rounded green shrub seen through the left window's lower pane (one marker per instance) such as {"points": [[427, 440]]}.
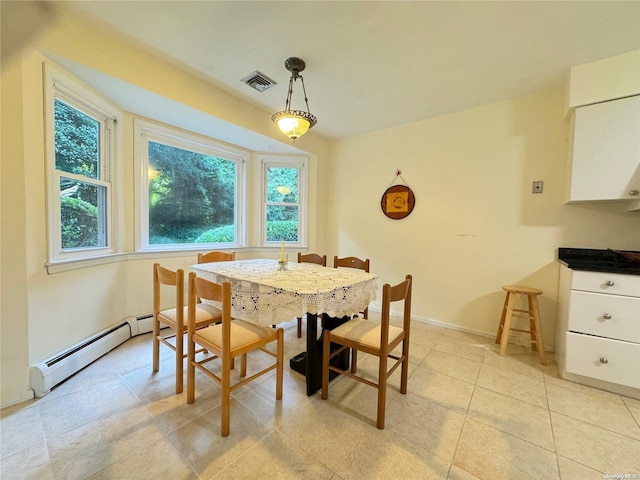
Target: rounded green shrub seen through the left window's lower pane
{"points": [[79, 220]]}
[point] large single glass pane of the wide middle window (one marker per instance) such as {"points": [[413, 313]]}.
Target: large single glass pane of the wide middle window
{"points": [[192, 197]]}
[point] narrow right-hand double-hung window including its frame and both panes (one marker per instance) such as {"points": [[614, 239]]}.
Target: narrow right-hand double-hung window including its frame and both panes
{"points": [[284, 204]]}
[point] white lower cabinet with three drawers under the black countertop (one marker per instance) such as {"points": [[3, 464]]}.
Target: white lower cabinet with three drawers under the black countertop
{"points": [[598, 336]]}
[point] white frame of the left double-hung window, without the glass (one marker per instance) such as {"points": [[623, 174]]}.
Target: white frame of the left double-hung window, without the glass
{"points": [[61, 86]]}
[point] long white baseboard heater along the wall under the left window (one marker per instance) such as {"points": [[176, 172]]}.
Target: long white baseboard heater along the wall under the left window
{"points": [[53, 371]]}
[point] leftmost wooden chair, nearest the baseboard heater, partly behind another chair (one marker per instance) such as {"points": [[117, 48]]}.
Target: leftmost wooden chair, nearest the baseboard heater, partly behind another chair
{"points": [[174, 318]]}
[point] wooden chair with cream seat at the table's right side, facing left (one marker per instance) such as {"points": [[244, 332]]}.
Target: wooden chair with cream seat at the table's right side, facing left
{"points": [[377, 339]]}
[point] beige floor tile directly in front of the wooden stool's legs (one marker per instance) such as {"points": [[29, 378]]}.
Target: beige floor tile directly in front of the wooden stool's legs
{"points": [[516, 385]]}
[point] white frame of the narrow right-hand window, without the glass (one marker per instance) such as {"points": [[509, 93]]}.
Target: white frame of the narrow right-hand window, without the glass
{"points": [[302, 163]]}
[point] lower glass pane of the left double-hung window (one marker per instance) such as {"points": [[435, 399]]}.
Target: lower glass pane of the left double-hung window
{"points": [[82, 214]]}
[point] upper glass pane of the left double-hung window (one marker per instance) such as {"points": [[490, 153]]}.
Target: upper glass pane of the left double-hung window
{"points": [[77, 139]]}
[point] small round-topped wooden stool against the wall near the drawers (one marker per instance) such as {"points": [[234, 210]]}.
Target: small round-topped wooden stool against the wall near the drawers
{"points": [[533, 314]]}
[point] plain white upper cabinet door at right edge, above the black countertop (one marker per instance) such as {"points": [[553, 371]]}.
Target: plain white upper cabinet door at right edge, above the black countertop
{"points": [[606, 151]]}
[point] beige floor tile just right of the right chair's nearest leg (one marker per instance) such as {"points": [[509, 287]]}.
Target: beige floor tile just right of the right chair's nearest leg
{"points": [[427, 424]]}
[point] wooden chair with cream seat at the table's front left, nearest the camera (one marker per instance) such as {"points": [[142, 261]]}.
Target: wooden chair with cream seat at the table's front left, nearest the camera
{"points": [[226, 341]]}
